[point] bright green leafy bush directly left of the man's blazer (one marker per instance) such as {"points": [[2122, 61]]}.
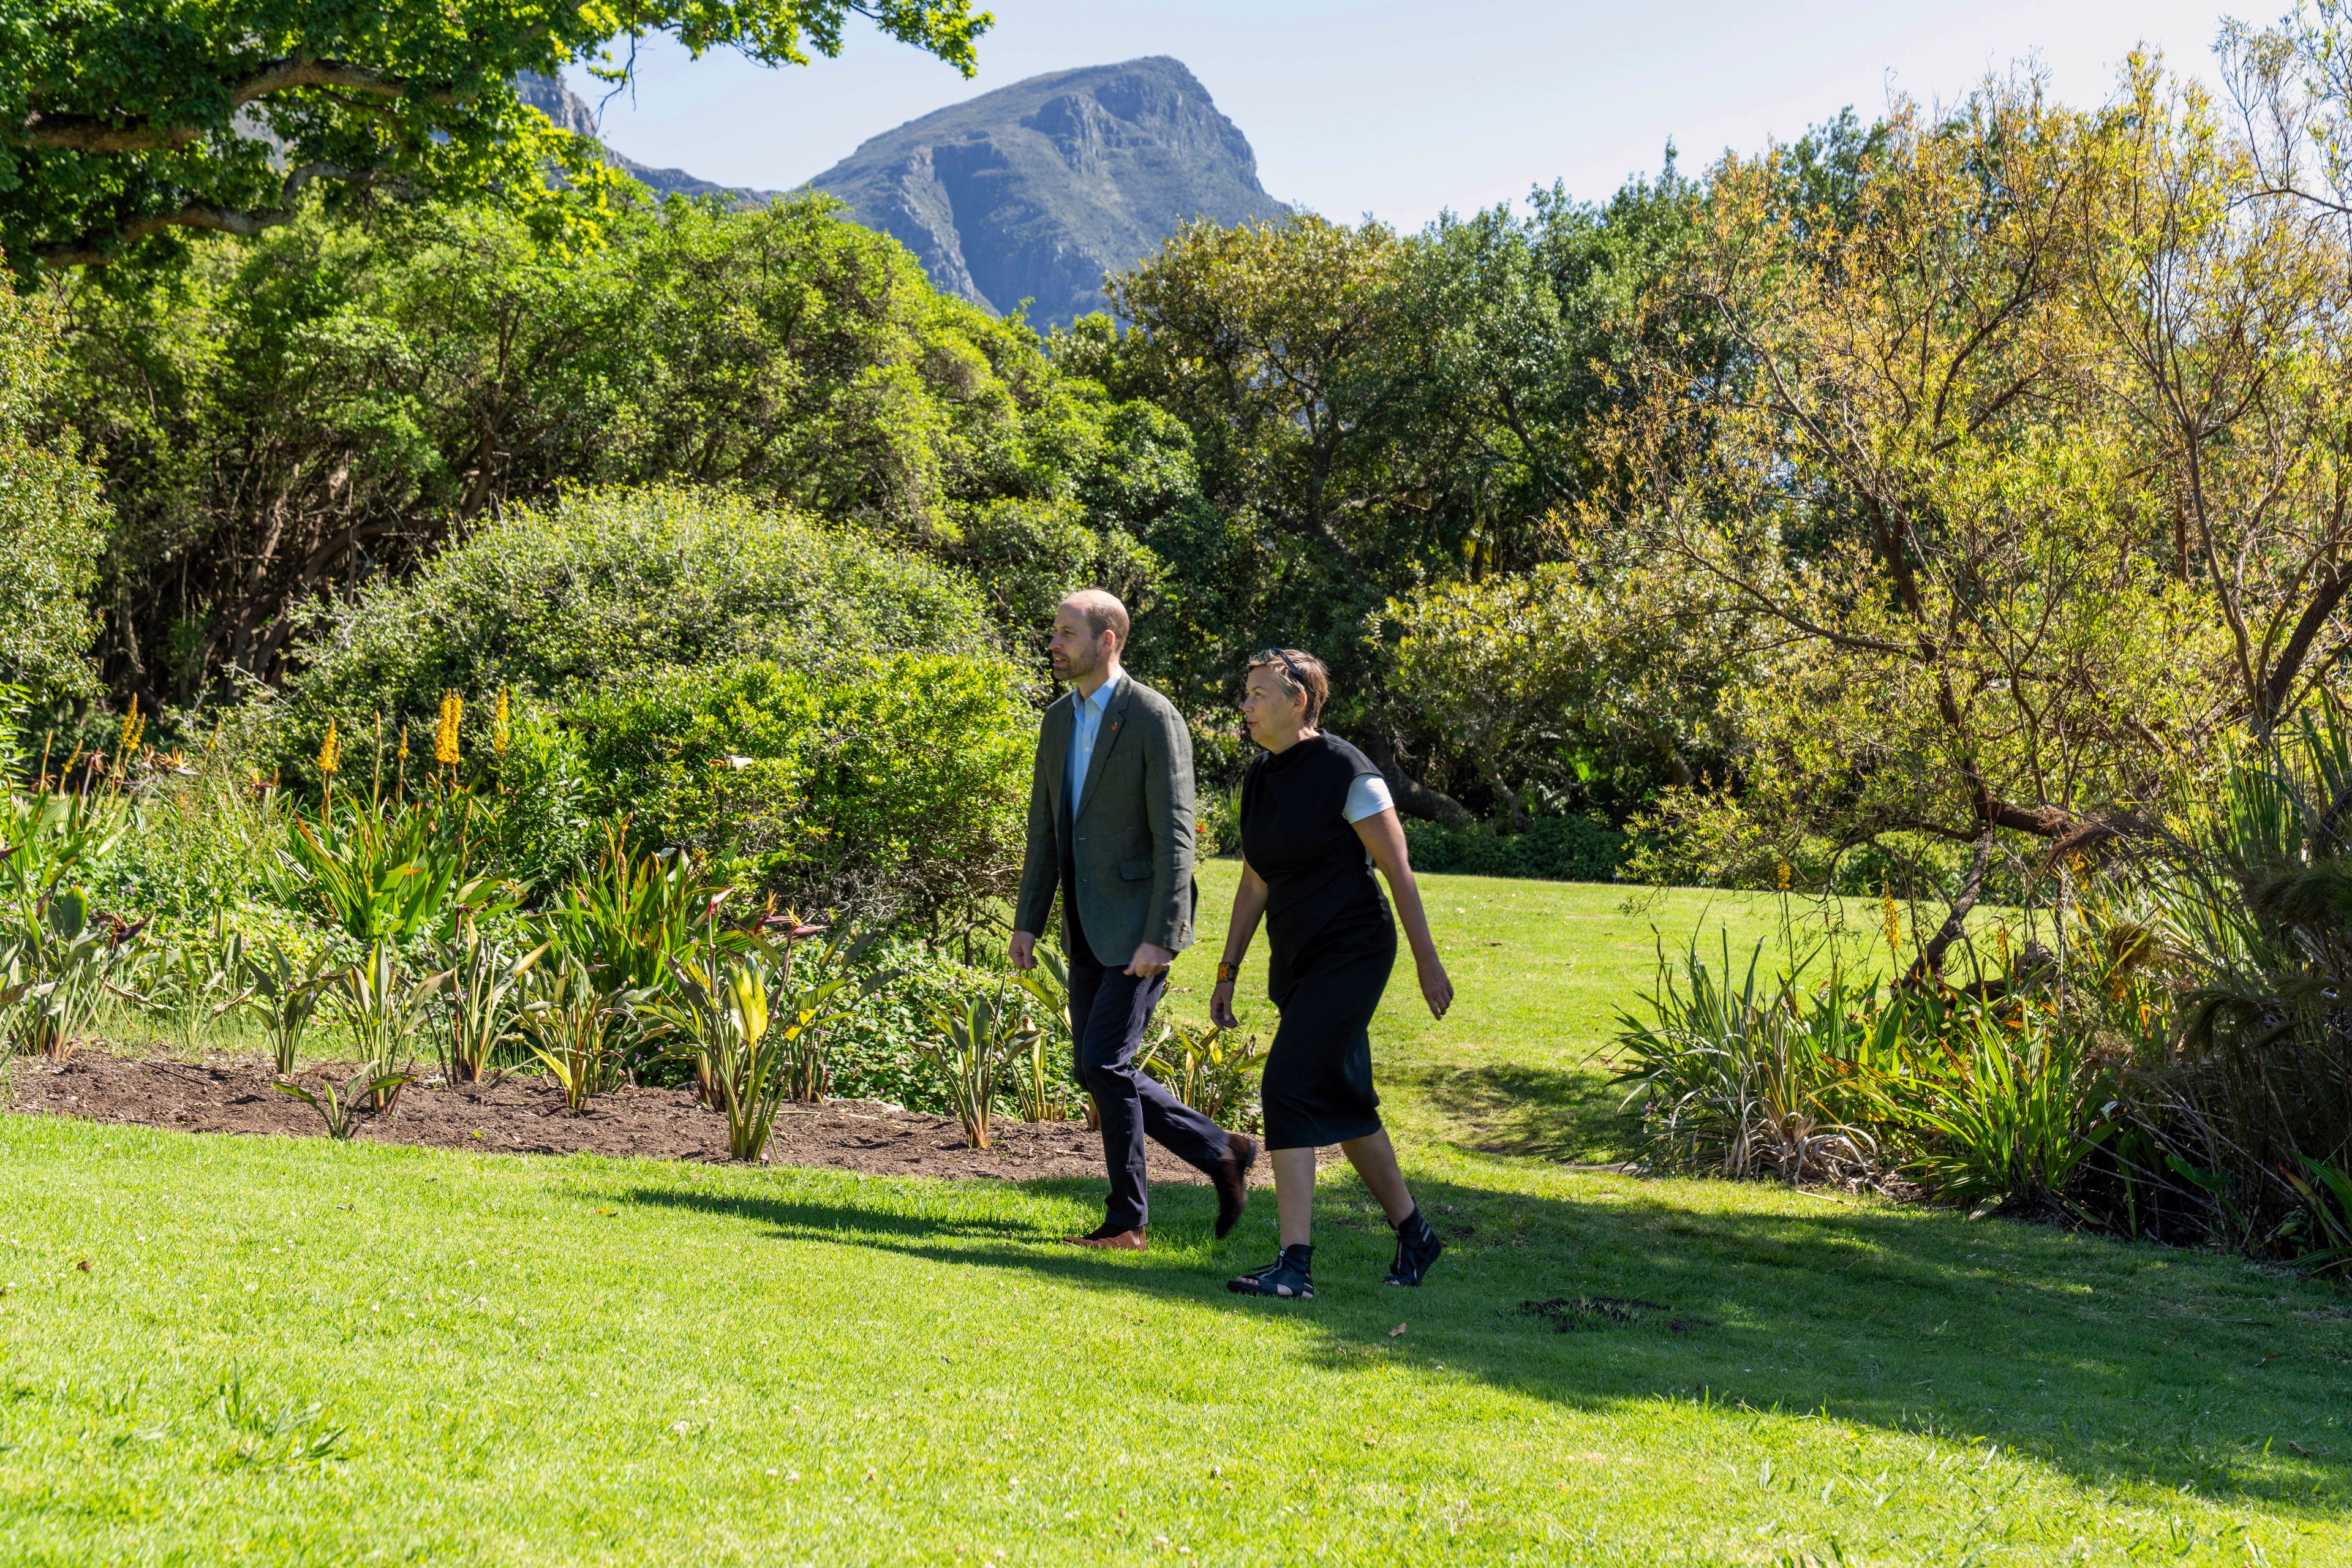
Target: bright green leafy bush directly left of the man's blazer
{"points": [[893, 786]]}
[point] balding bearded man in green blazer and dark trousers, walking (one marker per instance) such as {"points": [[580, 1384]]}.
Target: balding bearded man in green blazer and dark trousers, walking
{"points": [[1111, 833]]}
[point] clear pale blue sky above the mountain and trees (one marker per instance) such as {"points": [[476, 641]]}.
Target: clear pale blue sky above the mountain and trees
{"points": [[1377, 107]]}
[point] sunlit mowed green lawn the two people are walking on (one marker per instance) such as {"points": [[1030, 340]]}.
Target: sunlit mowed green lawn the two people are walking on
{"points": [[582, 1360]]}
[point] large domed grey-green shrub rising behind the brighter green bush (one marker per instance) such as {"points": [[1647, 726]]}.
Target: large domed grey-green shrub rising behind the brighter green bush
{"points": [[608, 584]]}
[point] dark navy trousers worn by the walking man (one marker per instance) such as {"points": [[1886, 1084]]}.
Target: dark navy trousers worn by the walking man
{"points": [[1109, 1010]]}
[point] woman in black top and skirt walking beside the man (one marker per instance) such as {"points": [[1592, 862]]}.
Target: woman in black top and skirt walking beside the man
{"points": [[1316, 822]]}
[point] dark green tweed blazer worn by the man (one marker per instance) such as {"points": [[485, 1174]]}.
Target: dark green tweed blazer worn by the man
{"points": [[1132, 836]]}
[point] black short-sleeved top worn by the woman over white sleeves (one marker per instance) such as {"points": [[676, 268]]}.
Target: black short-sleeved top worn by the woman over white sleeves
{"points": [[1323, 897]]}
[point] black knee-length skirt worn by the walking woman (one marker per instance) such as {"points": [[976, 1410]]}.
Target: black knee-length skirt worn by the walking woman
{"points": [[1318, 1073]]}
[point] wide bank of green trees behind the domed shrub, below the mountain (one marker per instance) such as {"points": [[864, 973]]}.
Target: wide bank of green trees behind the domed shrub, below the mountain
{"points": [[298, 415]]}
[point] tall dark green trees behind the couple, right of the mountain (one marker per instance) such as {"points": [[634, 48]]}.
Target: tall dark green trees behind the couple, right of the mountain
{"points": [[1372, 415]]}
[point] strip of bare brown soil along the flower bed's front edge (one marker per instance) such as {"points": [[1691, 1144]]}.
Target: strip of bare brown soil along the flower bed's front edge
{"points": [[526, 1115]]}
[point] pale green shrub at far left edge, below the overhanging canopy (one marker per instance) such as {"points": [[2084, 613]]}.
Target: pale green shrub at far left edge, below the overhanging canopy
{"points": [[53, 518]]}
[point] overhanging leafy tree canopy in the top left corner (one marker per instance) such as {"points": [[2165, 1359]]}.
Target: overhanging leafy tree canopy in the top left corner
{"points": [[128, 119]]}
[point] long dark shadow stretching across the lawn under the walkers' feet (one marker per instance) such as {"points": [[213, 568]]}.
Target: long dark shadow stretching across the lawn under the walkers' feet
{"points": [[2104, 1362]]}
